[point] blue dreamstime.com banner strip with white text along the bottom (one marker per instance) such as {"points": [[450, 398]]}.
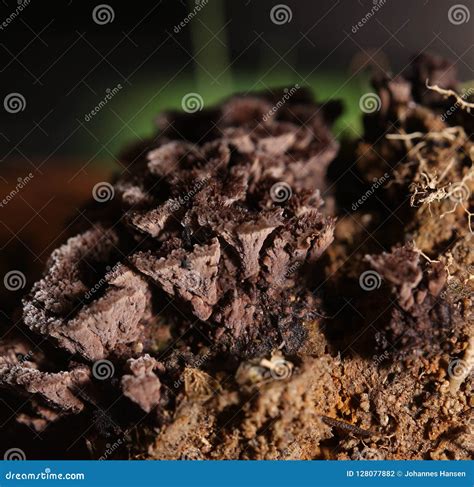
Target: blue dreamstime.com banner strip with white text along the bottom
{"points": [[237, 473]]}
